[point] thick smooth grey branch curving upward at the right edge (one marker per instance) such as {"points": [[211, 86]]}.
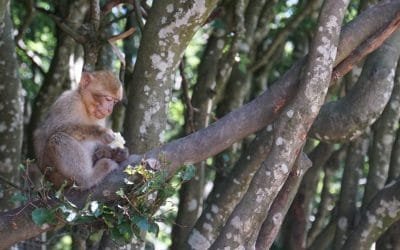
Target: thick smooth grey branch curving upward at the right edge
{"points": [[348, 117]]}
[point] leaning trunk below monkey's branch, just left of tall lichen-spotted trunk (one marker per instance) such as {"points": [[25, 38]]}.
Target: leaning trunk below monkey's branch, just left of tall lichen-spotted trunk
{"points": [[226, 194]]}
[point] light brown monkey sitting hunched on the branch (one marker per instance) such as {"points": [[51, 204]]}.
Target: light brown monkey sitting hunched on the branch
{"points": [[71, 144]]}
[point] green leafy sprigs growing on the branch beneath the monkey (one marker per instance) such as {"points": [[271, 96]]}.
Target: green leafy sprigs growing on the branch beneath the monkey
{"points": [[125, 219]]}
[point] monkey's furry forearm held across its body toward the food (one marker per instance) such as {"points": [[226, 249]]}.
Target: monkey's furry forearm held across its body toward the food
{"points": [[82, 132]]}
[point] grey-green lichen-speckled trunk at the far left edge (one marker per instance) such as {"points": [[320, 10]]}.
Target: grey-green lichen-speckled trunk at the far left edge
{"points": [[11, 112]]}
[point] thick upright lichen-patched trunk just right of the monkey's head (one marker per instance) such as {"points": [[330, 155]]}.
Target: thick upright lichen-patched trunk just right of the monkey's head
{"points": [[170, 26]]}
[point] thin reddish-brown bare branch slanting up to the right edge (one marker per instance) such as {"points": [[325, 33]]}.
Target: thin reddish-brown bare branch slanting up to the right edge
{"points": [[368, 46]]}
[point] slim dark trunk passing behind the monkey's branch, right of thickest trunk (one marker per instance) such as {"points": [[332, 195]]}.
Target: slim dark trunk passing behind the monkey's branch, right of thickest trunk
{"points": [[191, 193]]}
